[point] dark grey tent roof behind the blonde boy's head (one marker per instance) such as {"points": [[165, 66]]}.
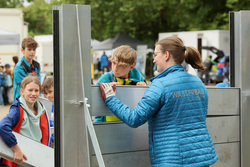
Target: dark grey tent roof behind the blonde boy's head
{"points": [[118, 40]]}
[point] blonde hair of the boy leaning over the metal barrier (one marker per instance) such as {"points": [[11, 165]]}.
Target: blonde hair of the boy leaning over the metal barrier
{"points": [[124, 55]]}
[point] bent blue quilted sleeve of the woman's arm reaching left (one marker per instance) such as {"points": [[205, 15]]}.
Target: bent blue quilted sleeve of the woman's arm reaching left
{"points": [[146, 108]]}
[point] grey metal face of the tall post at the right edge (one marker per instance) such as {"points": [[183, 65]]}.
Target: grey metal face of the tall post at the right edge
{"points": [[242, 61]]}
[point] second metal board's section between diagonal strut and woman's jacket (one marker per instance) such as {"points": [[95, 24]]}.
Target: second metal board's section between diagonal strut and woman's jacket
{"points": [[119, 137]]}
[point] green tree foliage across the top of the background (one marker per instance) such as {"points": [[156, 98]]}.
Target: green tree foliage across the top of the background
{"points": [[142, 19]]}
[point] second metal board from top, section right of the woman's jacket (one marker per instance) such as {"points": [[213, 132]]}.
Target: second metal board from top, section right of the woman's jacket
{"points": [[224, 129]]}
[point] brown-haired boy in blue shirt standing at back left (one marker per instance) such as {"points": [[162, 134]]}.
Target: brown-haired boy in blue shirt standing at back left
{"points": [[26, 65]]}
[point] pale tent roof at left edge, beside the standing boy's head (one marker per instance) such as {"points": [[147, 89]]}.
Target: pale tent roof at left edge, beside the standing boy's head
{"points": [[9, 38]]}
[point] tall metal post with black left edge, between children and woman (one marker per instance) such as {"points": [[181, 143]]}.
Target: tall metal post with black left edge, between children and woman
{"points": [[71, 137]]}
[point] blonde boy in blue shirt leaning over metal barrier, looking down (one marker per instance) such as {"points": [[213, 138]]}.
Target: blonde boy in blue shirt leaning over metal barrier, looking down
{"points": [[123, 73]]}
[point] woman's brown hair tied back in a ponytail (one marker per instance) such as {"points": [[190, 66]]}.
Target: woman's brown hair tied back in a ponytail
{"points": [[176, 48]]}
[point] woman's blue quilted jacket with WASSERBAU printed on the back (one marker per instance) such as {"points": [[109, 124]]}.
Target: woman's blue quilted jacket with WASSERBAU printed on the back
{"points": [[175, 106]]}
